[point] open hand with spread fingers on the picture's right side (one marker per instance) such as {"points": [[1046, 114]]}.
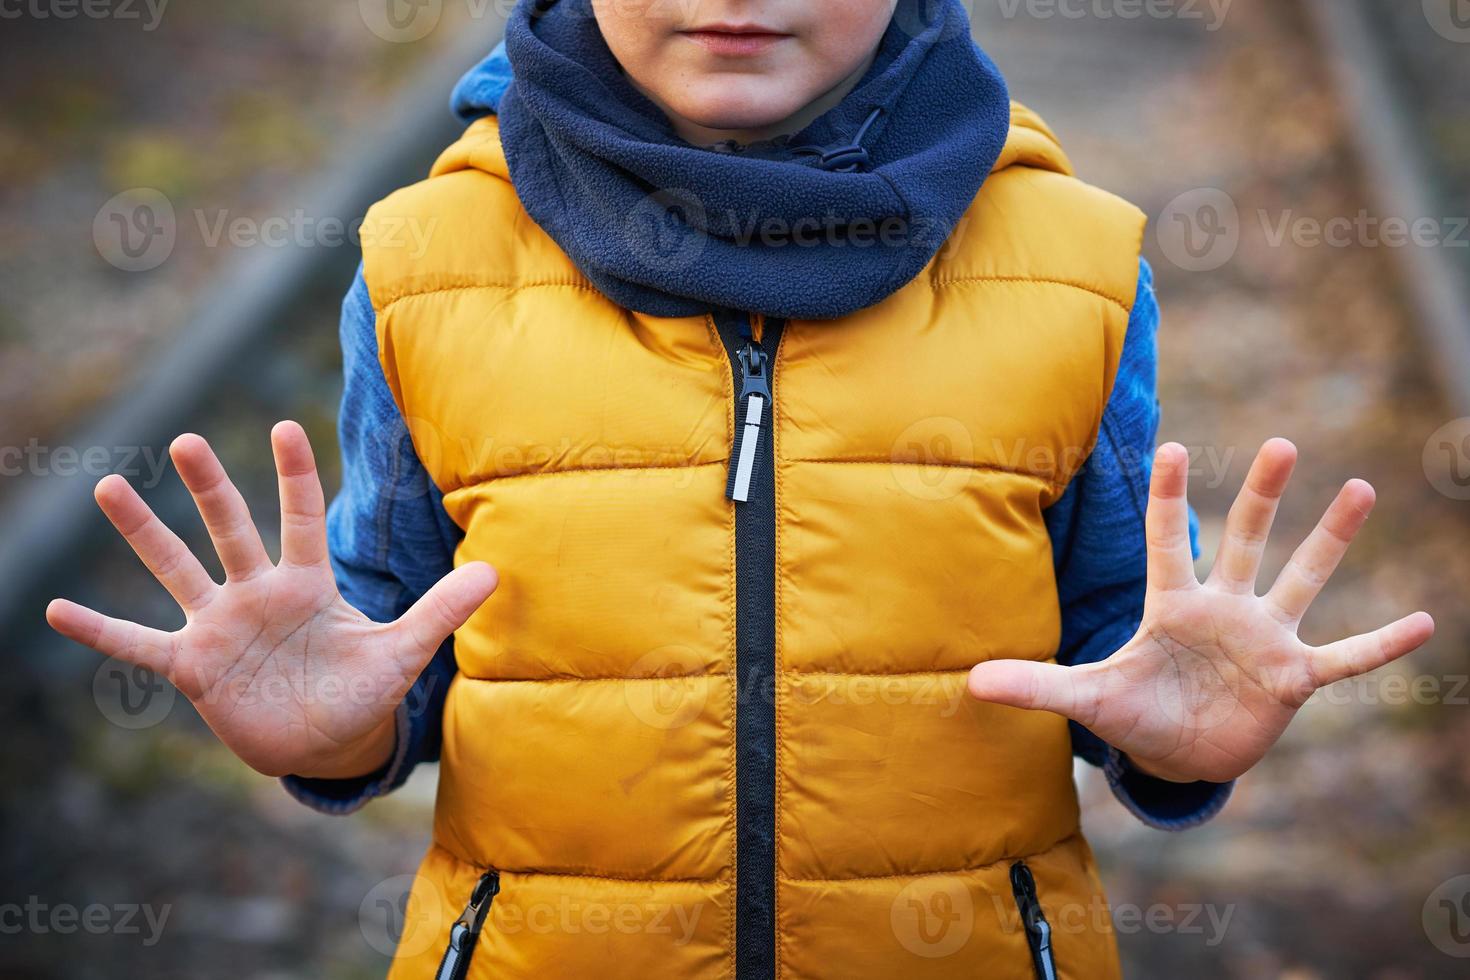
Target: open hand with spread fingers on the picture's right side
{"points": [[1215, 674]]}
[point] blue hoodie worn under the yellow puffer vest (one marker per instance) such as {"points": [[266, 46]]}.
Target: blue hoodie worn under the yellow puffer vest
{"points": [[392, 540]]}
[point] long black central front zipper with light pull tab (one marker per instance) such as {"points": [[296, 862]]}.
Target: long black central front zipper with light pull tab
{"points": [[753, 487]]}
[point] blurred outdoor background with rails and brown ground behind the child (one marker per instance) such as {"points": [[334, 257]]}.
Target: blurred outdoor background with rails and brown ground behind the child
{"points": [[180, 189]]}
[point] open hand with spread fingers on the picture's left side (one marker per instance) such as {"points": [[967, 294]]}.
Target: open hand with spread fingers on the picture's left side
{"points": [[290, 677]]}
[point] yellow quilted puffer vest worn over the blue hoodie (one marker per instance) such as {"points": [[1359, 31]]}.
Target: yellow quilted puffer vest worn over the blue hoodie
{"points": [[699, 738]]}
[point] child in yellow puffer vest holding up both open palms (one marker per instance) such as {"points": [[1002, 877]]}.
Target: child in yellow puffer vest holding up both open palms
{"points": [[796, 389]]}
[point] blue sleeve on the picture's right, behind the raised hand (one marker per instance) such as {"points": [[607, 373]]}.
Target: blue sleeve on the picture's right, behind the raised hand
{"points": [[1102, 561]]}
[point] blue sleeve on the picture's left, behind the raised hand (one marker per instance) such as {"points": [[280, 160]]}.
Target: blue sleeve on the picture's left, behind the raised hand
{"points": [[390, 541]]}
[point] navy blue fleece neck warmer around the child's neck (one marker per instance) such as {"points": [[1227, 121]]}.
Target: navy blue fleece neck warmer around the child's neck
{"points": [[818, 226]]}
